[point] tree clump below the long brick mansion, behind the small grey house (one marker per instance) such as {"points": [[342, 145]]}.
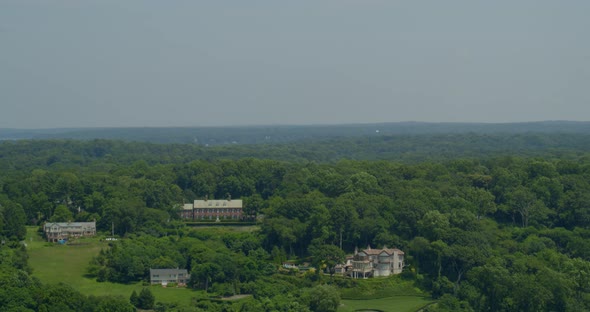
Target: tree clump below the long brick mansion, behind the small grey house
{"points": [[228, 263]]}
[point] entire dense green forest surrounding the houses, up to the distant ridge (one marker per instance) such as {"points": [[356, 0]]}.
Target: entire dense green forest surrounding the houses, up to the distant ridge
{"points": [[489, 222]]}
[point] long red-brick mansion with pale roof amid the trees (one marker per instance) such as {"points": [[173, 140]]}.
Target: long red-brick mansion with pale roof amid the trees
{"points": [[214, 210]]}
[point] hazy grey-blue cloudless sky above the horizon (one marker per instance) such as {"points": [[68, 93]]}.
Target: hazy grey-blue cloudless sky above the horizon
{"points": [[113, 63]]}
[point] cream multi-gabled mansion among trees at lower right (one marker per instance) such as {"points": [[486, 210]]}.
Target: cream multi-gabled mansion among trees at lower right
{"points": [[377, 262]]}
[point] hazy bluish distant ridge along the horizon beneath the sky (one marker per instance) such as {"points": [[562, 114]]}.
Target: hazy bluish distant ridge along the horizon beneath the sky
{"points": [[209, 136]]}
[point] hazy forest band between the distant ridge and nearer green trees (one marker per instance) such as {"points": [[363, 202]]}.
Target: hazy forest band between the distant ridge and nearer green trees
{"points": [[25, 155]]}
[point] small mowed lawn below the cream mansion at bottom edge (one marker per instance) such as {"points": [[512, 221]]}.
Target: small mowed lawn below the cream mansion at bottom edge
{"points": [[390, 304]]}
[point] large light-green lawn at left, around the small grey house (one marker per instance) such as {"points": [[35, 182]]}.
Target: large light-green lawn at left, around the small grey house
{"points": [[54, 263]]}
